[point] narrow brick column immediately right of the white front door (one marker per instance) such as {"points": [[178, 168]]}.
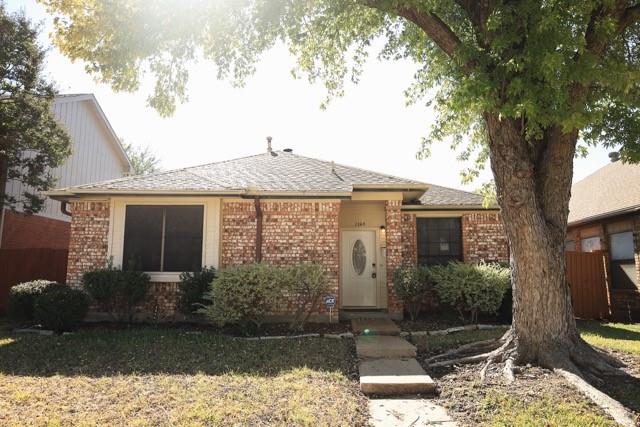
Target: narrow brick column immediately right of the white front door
{"points": [[393, 229]]}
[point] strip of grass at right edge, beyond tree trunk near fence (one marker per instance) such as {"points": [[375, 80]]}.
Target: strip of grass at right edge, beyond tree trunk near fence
{"points": [[614, 336]]}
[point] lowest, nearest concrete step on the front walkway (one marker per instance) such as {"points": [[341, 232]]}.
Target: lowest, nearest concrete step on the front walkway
{"points": [[394, 377]]}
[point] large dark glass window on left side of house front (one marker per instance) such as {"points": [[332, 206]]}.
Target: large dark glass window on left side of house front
{"points": [[163, 238]]}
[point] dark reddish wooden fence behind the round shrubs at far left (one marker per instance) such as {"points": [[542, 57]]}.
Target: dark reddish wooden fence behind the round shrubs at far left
{"points": [[22, 265]]}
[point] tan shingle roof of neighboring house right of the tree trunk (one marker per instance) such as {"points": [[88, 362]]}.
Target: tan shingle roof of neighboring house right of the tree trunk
{"points": [[612, 189]]}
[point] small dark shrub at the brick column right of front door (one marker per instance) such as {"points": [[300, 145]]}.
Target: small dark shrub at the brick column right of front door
{"points": [[411, 284]]}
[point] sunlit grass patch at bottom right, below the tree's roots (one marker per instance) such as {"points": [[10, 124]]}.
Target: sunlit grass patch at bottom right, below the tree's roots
{"points": [[502, 410]]}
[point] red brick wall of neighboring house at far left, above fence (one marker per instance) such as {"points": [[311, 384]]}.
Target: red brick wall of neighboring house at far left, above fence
{"points": [[34, 231]]}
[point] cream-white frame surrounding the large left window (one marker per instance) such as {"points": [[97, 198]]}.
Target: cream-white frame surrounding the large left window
{"points": [[210, 229]]}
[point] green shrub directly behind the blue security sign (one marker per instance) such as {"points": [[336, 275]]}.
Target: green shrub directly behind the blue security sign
{"points": [[306, 284]]}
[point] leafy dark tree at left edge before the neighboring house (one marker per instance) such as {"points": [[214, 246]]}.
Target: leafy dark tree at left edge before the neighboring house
{"points": [[31, 141]]}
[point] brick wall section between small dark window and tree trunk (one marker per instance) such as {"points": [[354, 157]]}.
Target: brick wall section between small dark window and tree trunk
{"points": [[484, 238]]}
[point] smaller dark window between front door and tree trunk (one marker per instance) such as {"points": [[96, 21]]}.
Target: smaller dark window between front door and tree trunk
{"points": [[439, 240]]}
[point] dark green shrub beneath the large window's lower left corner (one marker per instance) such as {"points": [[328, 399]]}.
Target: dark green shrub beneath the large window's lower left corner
{"points": [[117, 292]]}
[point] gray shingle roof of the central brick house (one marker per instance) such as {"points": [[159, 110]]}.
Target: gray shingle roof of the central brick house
{"points": [[277, 171]]}
